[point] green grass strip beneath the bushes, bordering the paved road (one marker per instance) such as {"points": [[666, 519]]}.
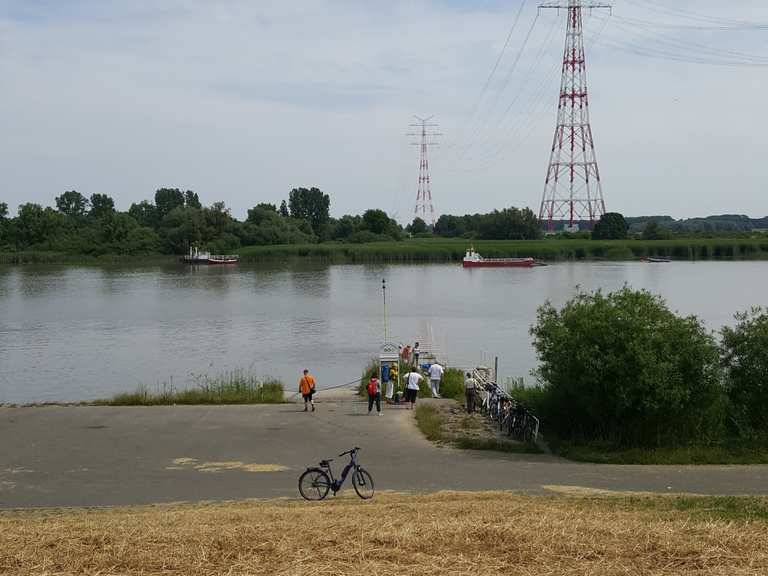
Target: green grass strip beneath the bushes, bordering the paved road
{"points": [[731, 453]]}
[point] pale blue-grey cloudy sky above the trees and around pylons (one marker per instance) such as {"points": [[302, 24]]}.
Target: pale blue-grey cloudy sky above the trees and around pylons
{"points": [[244, 100]]}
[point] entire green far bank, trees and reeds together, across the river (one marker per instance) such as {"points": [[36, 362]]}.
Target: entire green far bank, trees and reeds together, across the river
{"points": [[91, 228]]}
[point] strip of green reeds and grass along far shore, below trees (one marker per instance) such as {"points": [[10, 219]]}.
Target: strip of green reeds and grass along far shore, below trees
{"points": [[452, 250]]}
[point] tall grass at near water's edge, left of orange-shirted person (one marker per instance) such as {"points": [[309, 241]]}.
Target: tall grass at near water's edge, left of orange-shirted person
{"points": [[230, 388]]}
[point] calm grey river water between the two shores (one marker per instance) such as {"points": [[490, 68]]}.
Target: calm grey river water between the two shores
{"points": [[75, 333]]}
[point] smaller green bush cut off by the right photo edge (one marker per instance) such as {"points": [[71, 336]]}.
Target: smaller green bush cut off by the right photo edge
{"points": [[745, 359]]}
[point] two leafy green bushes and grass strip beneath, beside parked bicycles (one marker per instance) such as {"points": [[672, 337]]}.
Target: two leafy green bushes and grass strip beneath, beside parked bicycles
{"points": [[626, 380]]}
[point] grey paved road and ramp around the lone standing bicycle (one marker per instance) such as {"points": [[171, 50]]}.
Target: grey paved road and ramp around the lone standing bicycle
{"points": [[101, 456]]}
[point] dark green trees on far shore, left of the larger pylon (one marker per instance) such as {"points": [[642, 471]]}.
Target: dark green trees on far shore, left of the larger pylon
{"points": [[175, 220]]}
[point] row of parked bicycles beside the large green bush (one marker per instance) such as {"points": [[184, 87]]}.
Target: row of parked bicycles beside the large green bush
{"points": [[513, 418]]}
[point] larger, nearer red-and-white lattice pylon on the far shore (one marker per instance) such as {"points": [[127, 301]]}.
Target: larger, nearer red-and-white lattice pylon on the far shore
{"points": [[573, 192]]}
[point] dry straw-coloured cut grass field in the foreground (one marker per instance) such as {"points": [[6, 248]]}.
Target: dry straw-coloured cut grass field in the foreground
{"points": [[570, 532]]}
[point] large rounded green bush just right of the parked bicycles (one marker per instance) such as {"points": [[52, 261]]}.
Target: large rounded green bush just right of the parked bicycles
{"points": [[624, 369]]}
